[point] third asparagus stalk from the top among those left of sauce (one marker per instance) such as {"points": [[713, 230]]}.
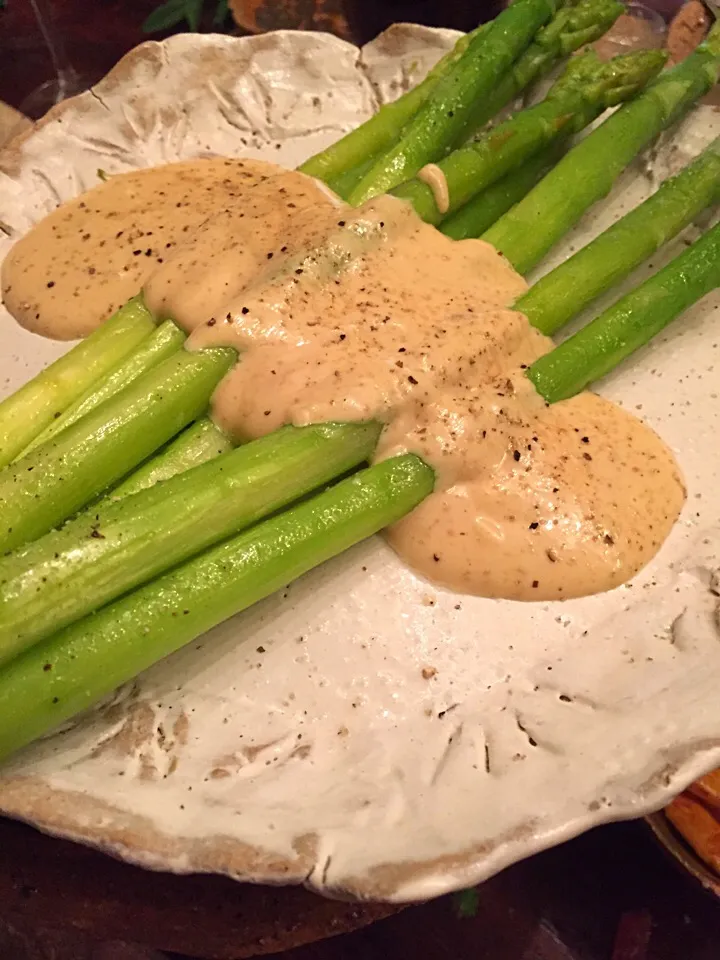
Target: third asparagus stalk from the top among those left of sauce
{"points": [[48, 485]]}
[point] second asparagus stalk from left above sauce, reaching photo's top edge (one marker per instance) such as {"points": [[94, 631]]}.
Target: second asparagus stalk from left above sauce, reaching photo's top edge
{"points": [[441, 121]]}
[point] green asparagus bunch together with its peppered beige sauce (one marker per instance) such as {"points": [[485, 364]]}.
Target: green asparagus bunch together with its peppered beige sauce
{"points": [[324, 334]]}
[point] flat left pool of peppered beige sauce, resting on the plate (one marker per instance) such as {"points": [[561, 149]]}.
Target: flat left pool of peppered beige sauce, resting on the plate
{"points": [[92, 254]]}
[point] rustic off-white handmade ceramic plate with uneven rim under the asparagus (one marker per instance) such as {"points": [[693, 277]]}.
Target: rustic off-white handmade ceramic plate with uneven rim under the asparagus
{"points": [[364, 732]]}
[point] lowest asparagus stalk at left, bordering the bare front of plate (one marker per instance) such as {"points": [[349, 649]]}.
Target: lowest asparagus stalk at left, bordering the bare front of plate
{"points": [[60, 677]]}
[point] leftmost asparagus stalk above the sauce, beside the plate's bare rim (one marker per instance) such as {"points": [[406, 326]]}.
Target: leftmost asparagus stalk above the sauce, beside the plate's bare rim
{"points": [[383, 128]]}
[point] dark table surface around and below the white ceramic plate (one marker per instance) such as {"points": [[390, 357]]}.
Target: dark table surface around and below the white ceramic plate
{"points": [[611, 895]]}
